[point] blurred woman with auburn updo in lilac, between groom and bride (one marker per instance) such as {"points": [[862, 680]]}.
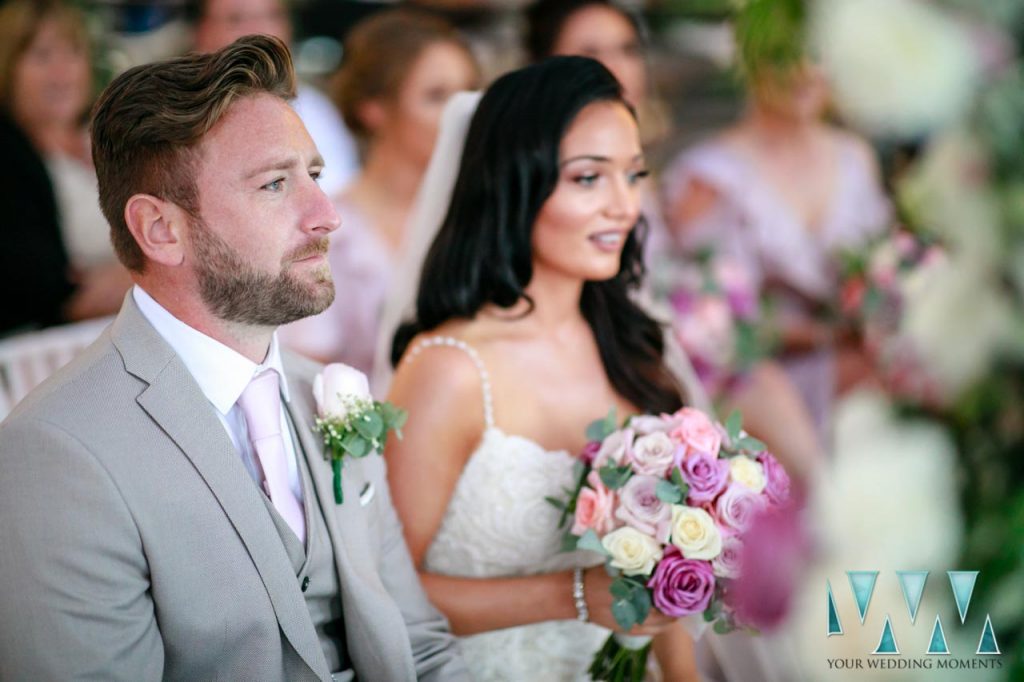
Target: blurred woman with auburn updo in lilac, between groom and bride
{"points": [[400, 69]]}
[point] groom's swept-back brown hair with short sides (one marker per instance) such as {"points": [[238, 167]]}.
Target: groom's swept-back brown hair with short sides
{"points": [[149, 122]]}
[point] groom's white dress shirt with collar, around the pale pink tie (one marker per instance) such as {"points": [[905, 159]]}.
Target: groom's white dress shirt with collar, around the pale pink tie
{"points": [[223, 374]]}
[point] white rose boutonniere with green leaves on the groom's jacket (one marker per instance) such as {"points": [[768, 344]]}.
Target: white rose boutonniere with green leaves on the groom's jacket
{"points": [[351, 421]]}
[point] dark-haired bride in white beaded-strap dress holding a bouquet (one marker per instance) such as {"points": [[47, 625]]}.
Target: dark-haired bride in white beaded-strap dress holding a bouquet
{"points": [[525, 315]]}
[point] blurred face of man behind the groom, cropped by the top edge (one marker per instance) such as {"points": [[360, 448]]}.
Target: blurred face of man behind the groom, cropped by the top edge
{"points": [[224, 22]]}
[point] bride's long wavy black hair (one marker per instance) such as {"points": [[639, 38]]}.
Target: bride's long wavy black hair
{"points": [[483, 253]]}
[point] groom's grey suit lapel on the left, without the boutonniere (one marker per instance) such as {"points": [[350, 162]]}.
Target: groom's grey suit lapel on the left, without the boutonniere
{"points": [[175, 401]]}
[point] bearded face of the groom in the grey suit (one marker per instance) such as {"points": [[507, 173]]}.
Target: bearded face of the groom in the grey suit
{"points": [[260, 246]]}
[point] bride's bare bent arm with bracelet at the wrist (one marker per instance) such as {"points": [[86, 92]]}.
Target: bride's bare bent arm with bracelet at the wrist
{"points": [[443, 394]]}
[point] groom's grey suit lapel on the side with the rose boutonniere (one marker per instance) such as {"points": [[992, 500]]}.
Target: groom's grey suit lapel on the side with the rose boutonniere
{"points": [[372, 618]]}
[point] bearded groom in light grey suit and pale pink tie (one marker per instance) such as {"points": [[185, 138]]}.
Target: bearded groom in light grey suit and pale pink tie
{"points": [[165, 508]]}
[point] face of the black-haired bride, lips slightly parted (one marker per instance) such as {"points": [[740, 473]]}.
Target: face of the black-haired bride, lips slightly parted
{"points": [[583, 227]]}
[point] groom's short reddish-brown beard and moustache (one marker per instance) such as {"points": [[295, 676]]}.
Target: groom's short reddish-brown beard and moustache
{"points": [[235, 291]]}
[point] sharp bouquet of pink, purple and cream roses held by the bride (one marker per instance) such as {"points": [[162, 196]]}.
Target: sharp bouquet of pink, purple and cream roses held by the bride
{"points": [[666, 501]]}
